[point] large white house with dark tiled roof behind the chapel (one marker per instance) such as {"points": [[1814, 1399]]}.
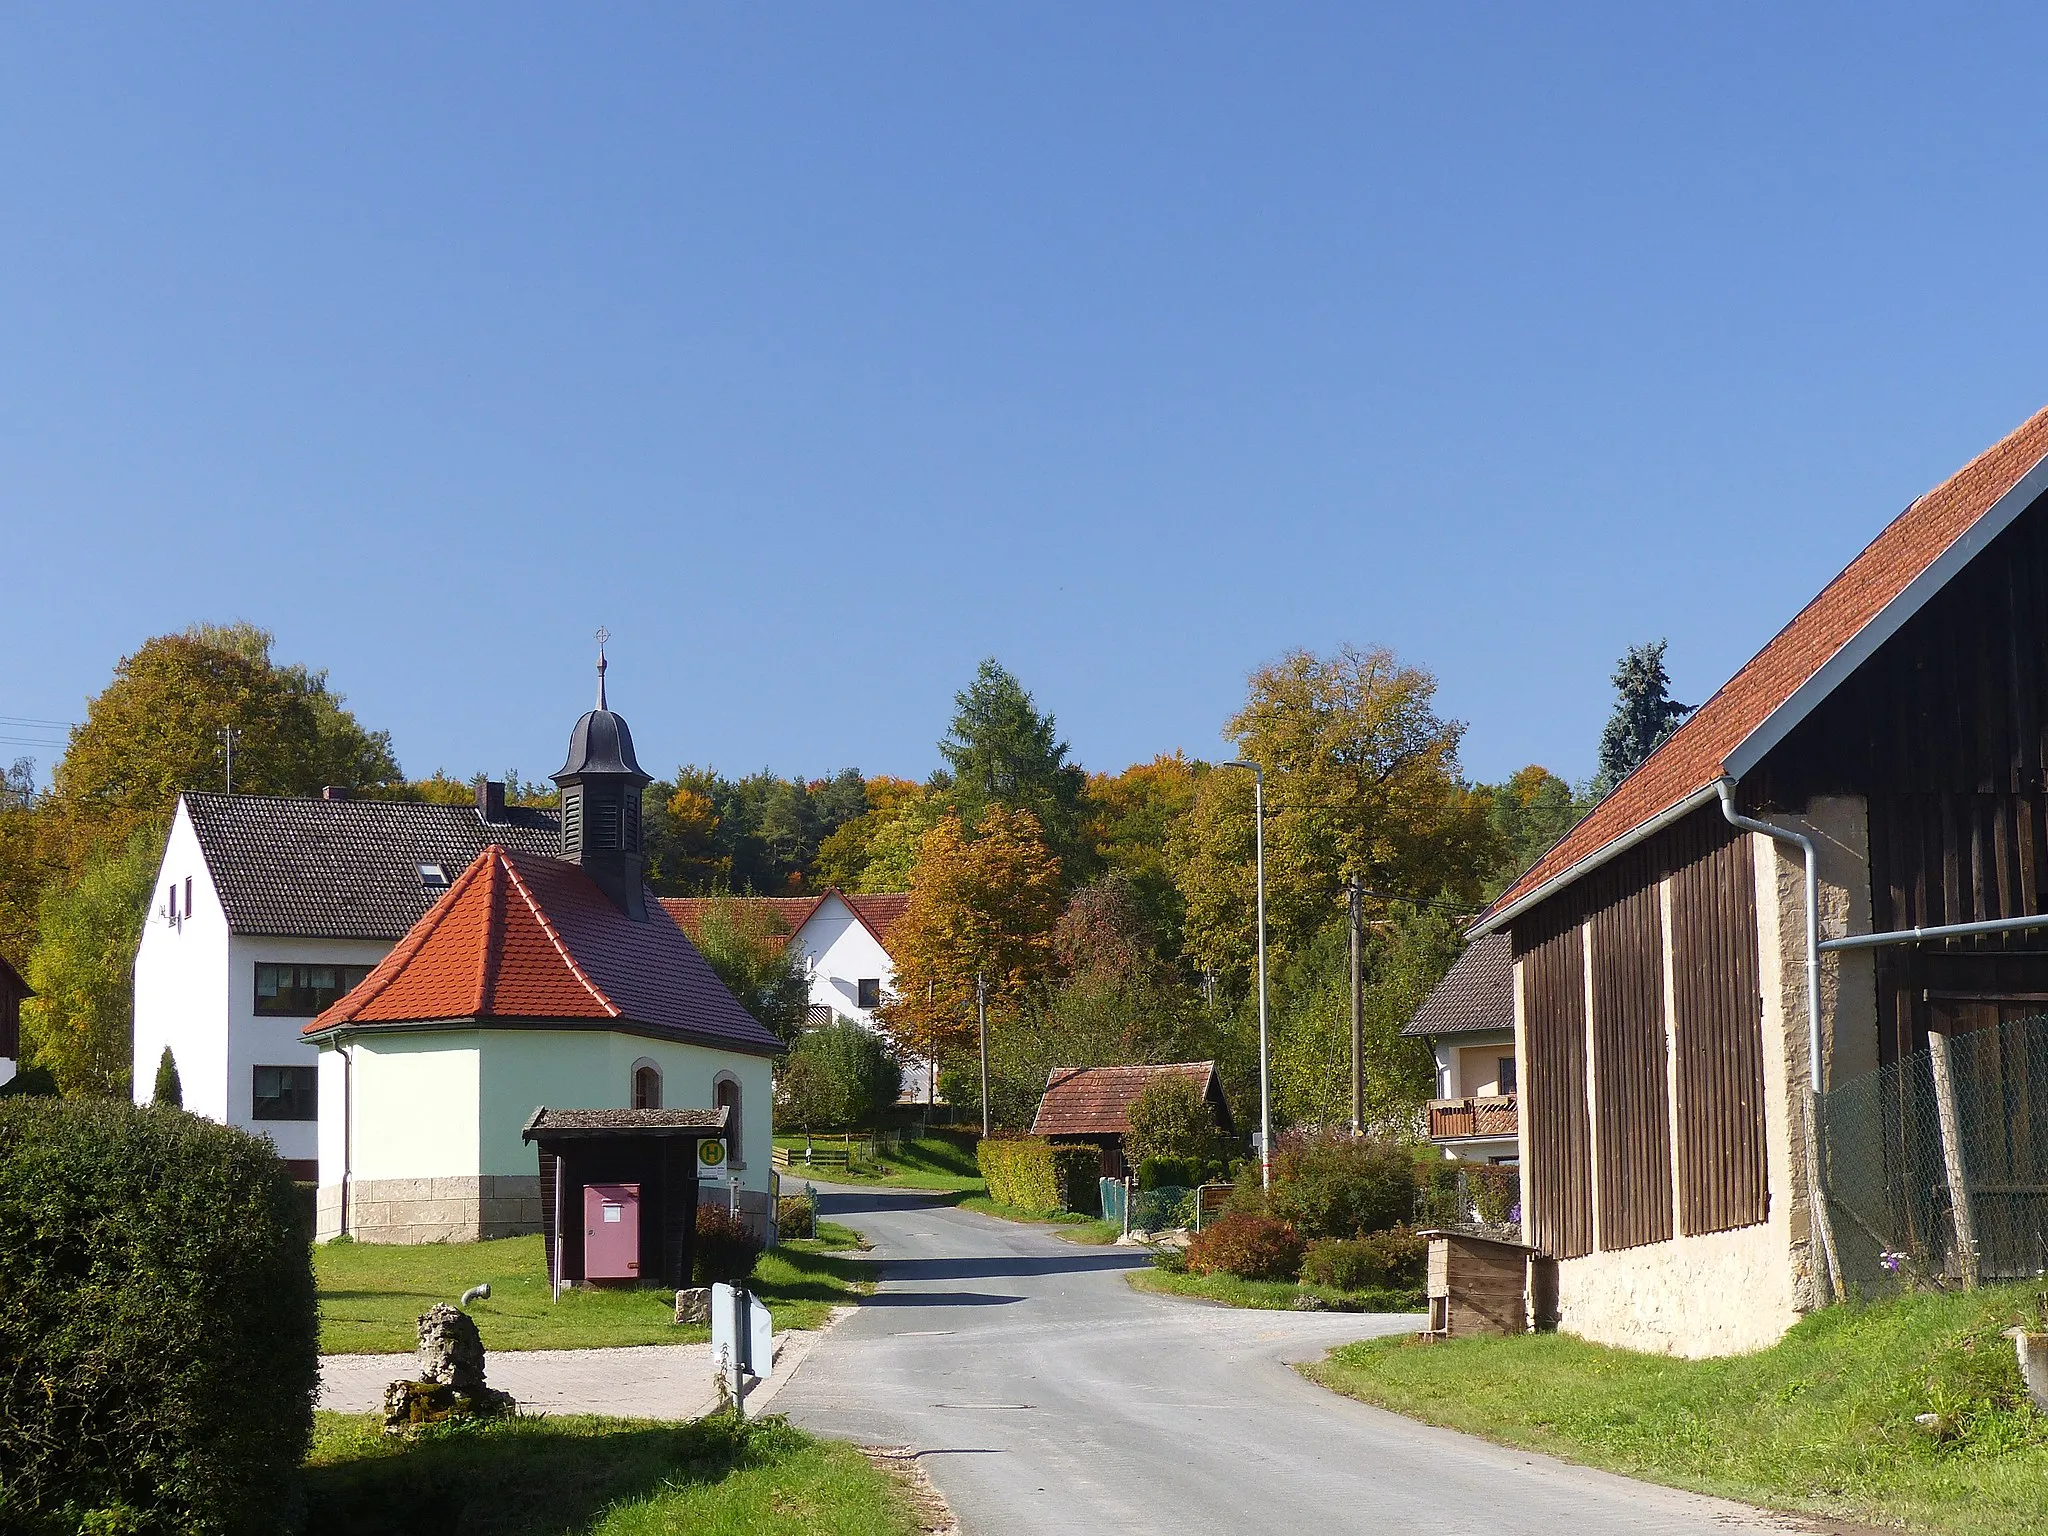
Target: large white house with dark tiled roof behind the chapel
{"points": [[267, 912]]}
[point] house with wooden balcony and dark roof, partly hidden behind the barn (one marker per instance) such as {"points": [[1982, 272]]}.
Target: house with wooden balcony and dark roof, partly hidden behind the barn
{"points": [[1469, 1021]]}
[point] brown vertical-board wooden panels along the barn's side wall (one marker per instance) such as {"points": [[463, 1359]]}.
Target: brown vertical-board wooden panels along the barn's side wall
{"points": [[1617, 1060]]}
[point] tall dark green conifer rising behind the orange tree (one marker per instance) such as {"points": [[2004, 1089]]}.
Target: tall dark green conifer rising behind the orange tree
{"points": [[1005, 753]]}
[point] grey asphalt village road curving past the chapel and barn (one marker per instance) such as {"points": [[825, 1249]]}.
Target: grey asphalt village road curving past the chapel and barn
{"points": [[1046, 1396]]}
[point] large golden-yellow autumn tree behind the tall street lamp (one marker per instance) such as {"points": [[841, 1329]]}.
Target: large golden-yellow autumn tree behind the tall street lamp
{"points": [[1363, 779]]}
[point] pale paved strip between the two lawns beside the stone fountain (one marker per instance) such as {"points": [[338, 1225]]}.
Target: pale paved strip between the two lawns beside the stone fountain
{"points": [[650, 1381]]}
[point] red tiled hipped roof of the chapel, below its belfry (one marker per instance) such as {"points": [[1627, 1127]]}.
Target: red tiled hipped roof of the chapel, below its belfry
{"points": [[529, 939]]}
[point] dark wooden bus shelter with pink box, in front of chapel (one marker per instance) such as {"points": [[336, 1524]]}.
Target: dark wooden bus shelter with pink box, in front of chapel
{"points": [[634, 1166]]}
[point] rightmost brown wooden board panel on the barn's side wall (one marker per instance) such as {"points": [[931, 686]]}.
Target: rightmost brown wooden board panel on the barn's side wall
{"points": [[1723, 1181]]}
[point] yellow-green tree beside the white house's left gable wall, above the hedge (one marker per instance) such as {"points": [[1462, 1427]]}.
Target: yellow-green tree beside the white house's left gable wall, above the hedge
{"points": [[83, 968]]}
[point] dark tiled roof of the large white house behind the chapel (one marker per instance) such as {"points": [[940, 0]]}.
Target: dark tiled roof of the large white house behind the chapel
{"points": [[345, 869]]}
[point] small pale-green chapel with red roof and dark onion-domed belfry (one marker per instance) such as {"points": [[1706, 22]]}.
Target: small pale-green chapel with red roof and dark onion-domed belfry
{"points": [[534, 982]]}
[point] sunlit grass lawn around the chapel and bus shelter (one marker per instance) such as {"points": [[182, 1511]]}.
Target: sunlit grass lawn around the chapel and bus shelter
{"points": [[374, 1293]]}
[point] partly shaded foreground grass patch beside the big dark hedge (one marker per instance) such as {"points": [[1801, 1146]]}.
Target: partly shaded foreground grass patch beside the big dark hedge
{"points": [[599, 1478]]}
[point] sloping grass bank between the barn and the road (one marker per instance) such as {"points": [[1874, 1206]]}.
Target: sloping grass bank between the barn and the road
{"points": [[1822, 1422]]}
